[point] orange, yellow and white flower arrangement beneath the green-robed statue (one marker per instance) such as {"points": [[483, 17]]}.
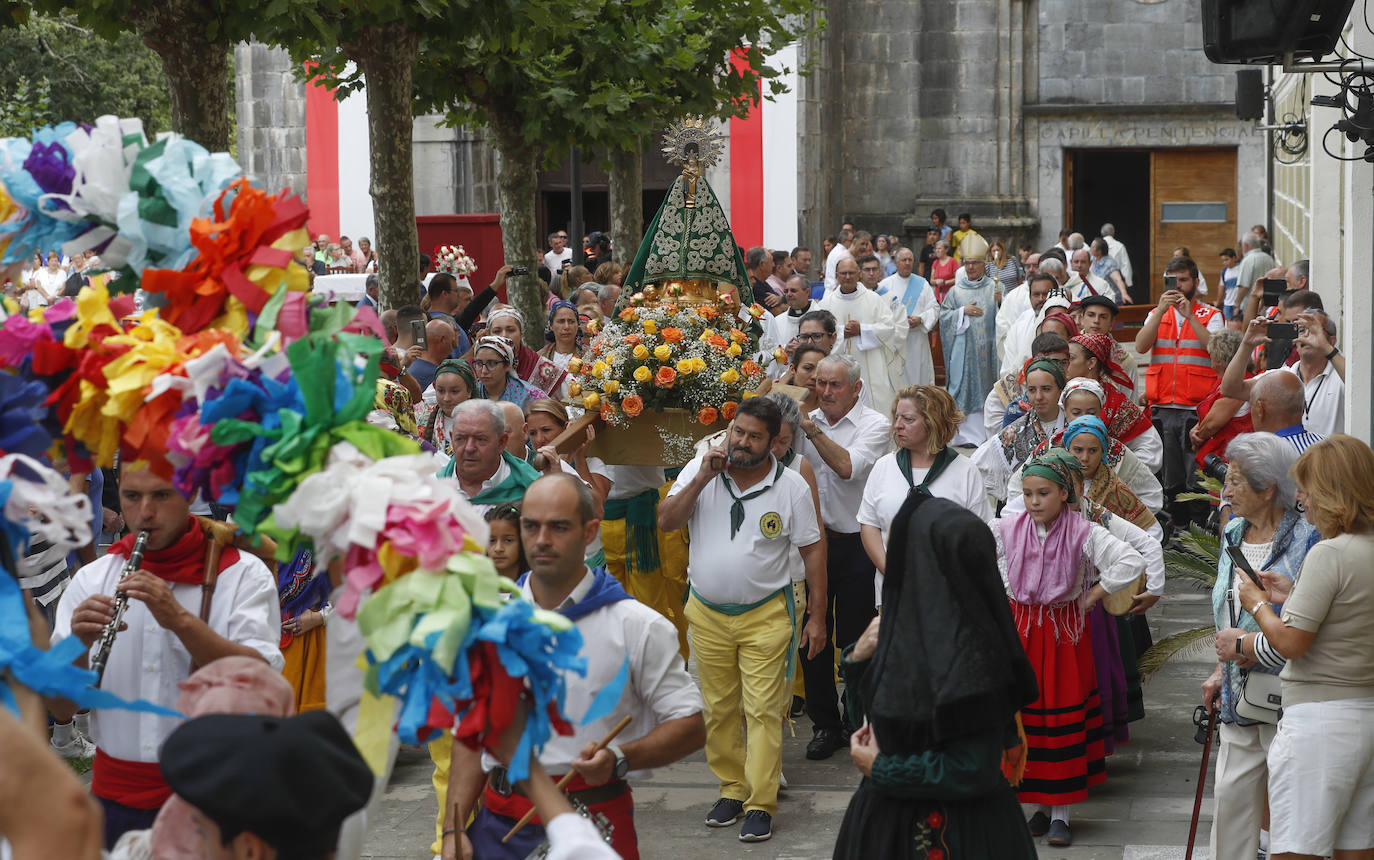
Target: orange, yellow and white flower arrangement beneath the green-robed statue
{"points": [[666, 354]]}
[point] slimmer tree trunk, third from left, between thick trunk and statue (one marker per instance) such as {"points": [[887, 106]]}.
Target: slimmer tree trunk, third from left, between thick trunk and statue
{"points": [[517, 186]]}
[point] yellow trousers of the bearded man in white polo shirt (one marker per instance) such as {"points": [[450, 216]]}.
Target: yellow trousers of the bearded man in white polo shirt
{"points": [[741, 664]]}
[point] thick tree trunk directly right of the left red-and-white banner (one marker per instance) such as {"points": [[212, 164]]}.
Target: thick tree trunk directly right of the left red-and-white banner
{"points": [[387, 57]]}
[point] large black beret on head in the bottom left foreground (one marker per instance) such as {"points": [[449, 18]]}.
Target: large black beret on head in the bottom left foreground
{"points": [[291, 781]]}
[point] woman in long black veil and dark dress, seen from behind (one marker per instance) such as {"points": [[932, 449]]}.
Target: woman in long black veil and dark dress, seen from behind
{"points": [[941, 682]]}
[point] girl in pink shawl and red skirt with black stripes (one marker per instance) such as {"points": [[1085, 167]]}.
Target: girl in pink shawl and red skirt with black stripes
{"points": [[1056, 565]]}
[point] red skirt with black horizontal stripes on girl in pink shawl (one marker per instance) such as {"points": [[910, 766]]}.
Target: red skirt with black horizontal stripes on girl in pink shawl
{"points": [[1064, 726]]}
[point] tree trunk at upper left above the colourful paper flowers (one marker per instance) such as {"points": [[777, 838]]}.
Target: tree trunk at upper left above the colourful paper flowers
{"points": [[196, 68]]}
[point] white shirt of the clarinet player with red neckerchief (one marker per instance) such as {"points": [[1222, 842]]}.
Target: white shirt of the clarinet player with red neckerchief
{"points": [[148, 661]]}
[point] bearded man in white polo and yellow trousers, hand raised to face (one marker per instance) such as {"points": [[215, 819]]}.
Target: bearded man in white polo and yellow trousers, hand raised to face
{"points": [[745, 513]]}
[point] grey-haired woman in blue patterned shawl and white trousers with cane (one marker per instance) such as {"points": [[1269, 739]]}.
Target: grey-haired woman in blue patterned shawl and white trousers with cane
{"points": [[1276, 538]]}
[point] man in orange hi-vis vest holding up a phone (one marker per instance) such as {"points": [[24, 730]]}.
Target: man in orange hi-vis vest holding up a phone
{"points": [[1181, 370]]}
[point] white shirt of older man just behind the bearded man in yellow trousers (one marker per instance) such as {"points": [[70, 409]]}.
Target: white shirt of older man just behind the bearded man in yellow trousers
{"points": [[865, 433]]}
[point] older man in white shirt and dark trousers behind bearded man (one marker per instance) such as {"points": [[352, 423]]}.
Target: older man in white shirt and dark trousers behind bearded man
{"points": [[844, 440]]}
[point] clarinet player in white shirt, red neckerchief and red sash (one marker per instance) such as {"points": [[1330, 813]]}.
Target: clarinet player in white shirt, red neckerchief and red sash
{"points": [[166, 633]]}
